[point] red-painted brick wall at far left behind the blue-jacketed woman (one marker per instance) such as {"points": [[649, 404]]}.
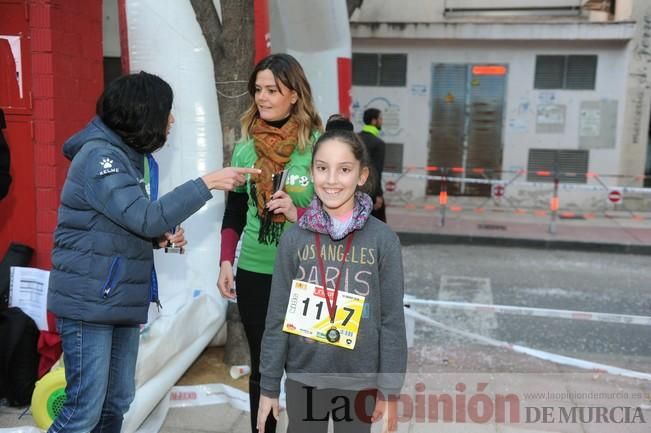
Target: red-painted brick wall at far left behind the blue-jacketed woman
{"points": [[61, 42]]}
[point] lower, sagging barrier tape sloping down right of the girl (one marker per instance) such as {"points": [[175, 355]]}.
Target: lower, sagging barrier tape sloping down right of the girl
{"points": [[540, 354]]}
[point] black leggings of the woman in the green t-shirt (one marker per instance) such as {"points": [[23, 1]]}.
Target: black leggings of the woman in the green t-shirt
{"points": [[252, 300]]}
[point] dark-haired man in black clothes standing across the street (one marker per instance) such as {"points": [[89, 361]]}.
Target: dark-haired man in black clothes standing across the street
{"points": [[376, 147]]}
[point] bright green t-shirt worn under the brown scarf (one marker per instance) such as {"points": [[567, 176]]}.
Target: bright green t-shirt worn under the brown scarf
{"points": [[254, 256]]}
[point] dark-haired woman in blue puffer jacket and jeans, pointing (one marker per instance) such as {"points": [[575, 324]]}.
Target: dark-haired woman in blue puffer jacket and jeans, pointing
{"points": [[110, 218]]}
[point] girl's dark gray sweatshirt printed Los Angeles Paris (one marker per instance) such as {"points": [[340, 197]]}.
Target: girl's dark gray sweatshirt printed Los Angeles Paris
{"points": [[373, 269]]}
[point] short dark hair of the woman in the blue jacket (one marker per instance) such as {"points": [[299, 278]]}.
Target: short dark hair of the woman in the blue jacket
{"points": [[137, 108]]}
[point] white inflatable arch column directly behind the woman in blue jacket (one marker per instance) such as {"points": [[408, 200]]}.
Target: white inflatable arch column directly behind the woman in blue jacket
{"points": [[163, 37]]}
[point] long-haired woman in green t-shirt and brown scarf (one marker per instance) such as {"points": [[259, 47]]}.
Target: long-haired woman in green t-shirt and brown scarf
{"points": [[278, 130]]}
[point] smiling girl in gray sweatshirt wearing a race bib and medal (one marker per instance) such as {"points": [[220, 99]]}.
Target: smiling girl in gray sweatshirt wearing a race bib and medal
{"points": [[362, 347]]}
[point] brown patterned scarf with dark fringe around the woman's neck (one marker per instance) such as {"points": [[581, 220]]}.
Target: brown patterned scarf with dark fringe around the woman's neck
{"points": [[273, 147]]}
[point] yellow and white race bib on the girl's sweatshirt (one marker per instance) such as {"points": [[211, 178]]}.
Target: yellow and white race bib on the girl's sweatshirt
{"points": [[307, 315]]}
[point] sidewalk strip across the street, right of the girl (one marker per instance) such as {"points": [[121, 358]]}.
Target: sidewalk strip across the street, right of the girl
{"points": [[620, 231]]}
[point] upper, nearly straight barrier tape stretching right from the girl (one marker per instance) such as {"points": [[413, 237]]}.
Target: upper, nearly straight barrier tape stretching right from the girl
{"points": [[538, 312]]}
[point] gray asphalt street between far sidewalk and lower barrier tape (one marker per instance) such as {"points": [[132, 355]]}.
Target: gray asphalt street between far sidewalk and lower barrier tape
{"points": [[592, 282]]}
